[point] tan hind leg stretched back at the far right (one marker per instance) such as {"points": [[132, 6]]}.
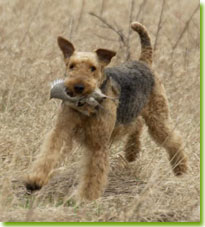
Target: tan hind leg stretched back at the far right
{"points": [[162, 130]]}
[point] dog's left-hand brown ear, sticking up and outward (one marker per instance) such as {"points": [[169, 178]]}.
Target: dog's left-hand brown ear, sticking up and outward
{"points": [[66, 47]]}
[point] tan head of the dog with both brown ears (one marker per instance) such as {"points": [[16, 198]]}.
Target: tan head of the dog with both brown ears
{"points": [[84, 70]]}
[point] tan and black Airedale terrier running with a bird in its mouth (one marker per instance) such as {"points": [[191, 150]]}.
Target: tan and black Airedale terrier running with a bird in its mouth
{"points": [[138, 96]]}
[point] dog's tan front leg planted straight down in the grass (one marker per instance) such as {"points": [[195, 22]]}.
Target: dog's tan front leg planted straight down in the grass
{"points": [[98, 130]]}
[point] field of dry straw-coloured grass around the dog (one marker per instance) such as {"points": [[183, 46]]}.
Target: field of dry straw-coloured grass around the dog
{"points": [[144, 191]]}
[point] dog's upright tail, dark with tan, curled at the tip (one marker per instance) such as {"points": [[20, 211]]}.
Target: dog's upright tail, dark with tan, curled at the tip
{"points": [[146, 47]]}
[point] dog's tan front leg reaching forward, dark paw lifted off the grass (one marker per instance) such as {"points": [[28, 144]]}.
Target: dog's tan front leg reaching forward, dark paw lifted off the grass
{"points": [[57, 142]]}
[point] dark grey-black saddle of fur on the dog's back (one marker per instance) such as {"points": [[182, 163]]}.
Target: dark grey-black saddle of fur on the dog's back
{"points": [[135, 80]]}
